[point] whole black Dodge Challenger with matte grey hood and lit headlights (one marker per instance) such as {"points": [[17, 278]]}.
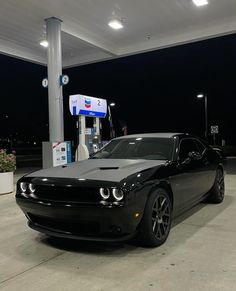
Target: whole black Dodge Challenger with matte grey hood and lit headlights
{"points": [[133, 187]]}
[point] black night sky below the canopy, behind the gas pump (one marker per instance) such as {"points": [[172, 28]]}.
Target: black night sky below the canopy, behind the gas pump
{"points": [[154, 91]]}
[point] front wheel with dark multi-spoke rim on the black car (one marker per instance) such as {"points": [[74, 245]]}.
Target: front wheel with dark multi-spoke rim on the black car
{"points": [[156, 222]]}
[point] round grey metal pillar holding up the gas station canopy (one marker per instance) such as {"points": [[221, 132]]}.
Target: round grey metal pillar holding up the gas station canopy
{"points": [[55, 99]]}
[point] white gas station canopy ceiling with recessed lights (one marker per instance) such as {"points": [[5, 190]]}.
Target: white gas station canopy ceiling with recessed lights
{"points": [[86, 36]]}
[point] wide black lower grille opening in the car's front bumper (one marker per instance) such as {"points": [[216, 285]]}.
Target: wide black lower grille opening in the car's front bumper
{"points": [[74, 227]]}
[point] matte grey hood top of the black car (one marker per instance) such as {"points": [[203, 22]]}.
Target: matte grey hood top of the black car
{"points": [[100, 169]]}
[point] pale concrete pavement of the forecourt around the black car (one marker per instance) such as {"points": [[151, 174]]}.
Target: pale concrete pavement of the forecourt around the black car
{"points": [[200, 254]]}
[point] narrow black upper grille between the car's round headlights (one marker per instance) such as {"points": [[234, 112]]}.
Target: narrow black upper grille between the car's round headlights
{"points": [[67, 194]]}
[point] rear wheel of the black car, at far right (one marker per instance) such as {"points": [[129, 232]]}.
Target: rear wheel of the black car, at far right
{"points": [[217, 192]]}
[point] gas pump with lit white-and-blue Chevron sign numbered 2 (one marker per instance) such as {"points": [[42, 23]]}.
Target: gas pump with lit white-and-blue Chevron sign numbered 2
{"points": [[89, 138]]}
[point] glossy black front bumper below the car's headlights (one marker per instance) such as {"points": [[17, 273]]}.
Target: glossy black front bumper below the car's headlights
{"points": [[85, 222]]}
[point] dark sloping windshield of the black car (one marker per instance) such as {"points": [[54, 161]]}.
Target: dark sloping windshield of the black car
{"points": [[137, 148]]}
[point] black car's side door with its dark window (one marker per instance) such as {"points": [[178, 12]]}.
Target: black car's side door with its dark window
{"points": [[187, 181]]}
